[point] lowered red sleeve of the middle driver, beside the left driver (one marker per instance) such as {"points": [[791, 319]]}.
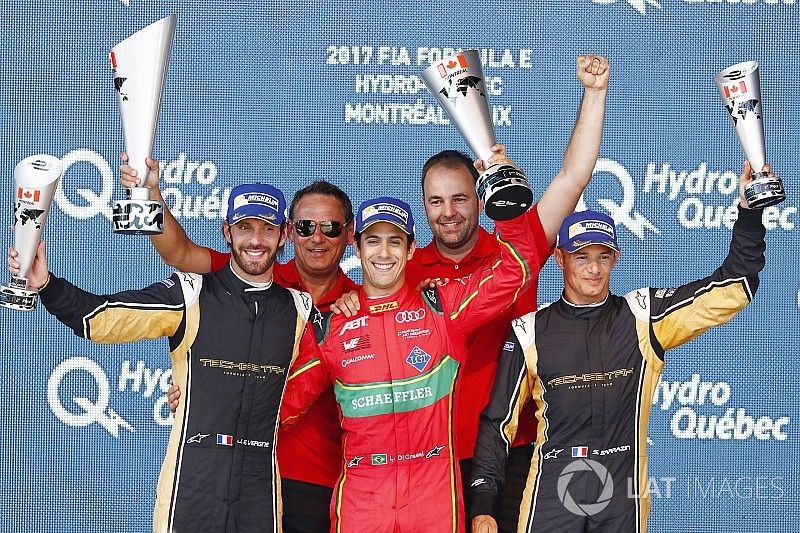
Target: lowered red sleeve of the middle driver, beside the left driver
{"points": [[308, 378]]}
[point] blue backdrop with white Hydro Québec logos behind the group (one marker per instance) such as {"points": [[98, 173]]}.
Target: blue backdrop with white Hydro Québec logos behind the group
{"points": [[292, 91]]}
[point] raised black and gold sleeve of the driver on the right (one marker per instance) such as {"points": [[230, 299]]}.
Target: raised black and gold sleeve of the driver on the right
{"points": [[681, 314]]}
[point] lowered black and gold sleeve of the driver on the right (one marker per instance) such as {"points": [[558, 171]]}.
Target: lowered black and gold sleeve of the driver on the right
{"points": [[498, 427]]}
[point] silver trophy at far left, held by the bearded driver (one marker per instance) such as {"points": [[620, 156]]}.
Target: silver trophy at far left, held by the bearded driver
{"points": [[35, 181]]}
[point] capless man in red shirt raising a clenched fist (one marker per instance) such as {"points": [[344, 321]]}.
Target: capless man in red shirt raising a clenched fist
{"points": [[460, 247]]}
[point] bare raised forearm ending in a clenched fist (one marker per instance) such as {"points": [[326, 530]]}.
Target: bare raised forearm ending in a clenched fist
{"points": [[580, 157]]}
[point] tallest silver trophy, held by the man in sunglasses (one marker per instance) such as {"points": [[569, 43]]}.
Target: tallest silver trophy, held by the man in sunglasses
{"points": [[139, 65]]}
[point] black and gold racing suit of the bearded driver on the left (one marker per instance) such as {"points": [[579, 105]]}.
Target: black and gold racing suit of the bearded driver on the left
{"points": [[231, 346]]}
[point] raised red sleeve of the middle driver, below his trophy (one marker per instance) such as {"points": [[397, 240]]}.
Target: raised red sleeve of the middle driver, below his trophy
{"points": [[495, 288]]}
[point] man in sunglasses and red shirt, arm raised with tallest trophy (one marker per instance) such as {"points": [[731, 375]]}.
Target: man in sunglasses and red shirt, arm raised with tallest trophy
{"points": [[321, 228]]}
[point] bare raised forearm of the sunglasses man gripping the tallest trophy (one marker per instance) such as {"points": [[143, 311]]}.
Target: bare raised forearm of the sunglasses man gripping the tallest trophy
{"points": [[174, 246]]}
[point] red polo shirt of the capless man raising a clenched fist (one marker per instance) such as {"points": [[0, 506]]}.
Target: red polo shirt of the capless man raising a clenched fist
{"points": [[476, 377]]}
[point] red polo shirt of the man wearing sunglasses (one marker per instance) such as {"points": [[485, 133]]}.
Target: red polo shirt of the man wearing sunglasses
{"points": [[310, 450]]}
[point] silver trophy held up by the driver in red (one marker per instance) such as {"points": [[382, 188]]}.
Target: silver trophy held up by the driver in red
{"points": [[458, 84]]}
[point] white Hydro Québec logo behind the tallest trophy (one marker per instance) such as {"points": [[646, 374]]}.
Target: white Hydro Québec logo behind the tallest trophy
{"points": [[99, 200]]}
